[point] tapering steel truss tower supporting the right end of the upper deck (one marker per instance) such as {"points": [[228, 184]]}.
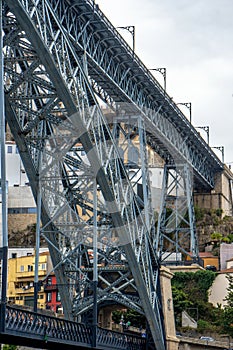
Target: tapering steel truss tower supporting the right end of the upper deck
{"points": [[176, 231]]}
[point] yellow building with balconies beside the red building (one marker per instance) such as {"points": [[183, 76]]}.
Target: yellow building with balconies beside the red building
{"points": [[21, 272]]}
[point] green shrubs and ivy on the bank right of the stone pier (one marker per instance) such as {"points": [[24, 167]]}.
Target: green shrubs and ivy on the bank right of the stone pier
{"points": [[190, 293]]}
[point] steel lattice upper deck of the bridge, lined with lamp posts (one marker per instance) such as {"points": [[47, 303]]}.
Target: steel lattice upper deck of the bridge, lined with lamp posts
{"points": [[119, 76]]}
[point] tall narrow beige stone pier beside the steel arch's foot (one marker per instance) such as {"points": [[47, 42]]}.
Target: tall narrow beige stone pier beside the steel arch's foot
{"points": [[168, 311]]}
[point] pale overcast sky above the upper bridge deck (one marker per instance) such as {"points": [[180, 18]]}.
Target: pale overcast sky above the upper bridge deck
{"points": [[193, 39]]}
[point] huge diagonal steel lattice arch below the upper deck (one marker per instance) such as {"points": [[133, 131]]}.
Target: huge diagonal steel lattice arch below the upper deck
{"points": [[50, 107]]}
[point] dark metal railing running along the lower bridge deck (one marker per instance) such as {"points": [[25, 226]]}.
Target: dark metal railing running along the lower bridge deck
{"points": [[40, 326]]}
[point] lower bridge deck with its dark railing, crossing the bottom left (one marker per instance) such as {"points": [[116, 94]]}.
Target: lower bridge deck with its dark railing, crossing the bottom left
{"points": [[36, 330]]}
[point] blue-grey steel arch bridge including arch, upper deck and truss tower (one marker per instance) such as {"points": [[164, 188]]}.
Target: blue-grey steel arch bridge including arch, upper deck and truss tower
{"points": [[61, 57]]}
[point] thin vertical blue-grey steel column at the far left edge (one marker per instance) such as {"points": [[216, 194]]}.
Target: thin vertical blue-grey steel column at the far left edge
{"points": [[3, 183]]}
